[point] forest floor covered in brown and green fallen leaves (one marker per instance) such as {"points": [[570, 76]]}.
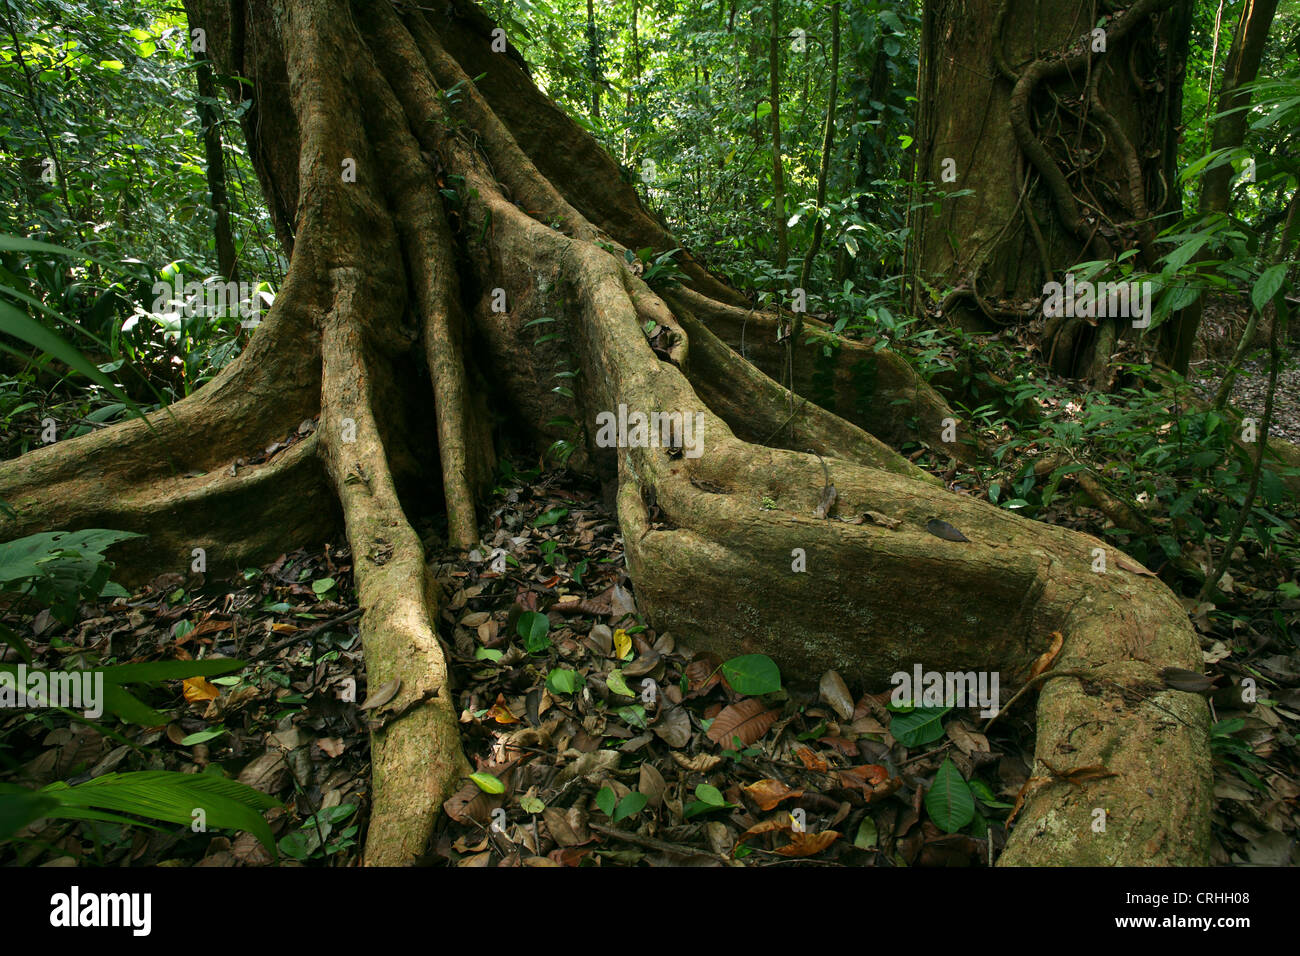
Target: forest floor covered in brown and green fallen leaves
{"points": [[595, 763]]}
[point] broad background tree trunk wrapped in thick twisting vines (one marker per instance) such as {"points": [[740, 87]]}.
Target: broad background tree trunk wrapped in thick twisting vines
{"points": [[1068, 136]]}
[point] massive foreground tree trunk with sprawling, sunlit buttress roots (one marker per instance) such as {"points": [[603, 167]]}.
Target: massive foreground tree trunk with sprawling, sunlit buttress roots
{"points": [[389, 267]]}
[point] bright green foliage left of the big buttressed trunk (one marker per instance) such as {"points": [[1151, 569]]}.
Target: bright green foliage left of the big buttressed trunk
{"points": [[101, 132]]}
